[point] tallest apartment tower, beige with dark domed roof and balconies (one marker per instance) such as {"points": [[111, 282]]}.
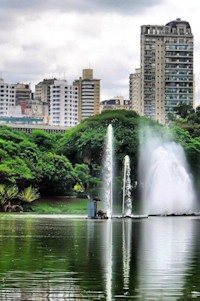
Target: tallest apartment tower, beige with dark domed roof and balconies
{"points": [[166, 68]]}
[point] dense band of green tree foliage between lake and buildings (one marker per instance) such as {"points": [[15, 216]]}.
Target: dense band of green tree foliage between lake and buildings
{"points": [[55, 164]]}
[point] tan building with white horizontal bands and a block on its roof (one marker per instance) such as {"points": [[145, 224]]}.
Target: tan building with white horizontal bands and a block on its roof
{"points": [[89, 95]]}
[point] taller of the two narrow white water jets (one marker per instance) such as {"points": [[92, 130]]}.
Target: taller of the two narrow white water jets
{"points": [[108, 167]]}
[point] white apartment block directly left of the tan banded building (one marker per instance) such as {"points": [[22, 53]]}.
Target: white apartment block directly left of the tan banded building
{"points": [[63, 104]]}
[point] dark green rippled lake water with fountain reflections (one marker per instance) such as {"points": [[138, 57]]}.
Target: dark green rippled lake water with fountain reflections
{"points": [[59, 258]]}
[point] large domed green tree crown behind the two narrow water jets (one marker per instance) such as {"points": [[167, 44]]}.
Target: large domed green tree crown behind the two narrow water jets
{"points": [[85, 143]]}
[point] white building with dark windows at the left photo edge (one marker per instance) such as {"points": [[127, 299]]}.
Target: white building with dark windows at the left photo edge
{"points": [[7, 97]]}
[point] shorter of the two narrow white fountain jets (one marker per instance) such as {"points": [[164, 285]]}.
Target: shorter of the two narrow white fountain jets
{"points": [[127, 187]]}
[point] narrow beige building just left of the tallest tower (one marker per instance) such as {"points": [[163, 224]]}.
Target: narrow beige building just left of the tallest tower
{"points": [[135, 91]]}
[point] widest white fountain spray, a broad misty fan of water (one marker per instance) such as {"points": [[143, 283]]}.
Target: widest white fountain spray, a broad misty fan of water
{"points": [[167, 187]]}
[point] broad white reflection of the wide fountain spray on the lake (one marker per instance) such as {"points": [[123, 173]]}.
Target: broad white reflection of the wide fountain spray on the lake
{"points": [[164, 257]]}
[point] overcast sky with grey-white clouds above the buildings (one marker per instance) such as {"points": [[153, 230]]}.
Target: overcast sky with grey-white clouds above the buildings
{"points": [[58, 38]]}
